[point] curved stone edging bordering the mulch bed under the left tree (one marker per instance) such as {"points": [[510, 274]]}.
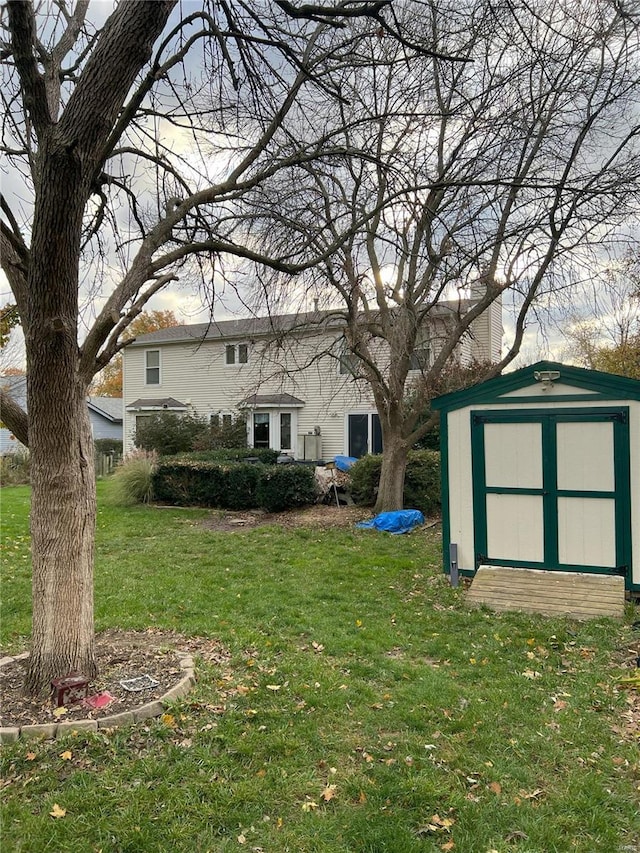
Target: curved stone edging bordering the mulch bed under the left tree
{"points": [[9, 734]]}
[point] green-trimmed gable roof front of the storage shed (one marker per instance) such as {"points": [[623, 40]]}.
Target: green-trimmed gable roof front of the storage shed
{"points": [[585, 384]]}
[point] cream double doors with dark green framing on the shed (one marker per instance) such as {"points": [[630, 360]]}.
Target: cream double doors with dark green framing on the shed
{"points": [[551, 490]]}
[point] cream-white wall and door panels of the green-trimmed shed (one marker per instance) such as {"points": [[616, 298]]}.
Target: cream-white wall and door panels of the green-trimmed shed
{"points": [[586, 525]]}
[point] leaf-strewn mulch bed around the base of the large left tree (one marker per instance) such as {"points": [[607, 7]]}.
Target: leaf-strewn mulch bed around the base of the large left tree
{"points": [[120, 655]]}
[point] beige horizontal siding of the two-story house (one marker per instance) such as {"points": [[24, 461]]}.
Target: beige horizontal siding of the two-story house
{"points": [[301, 362]]}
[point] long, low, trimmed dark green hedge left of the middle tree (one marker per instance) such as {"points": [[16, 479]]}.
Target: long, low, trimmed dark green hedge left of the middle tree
{"points": [[233, 485]]}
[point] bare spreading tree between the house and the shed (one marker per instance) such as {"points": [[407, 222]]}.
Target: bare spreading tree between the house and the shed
{"points": [[500, 178]]}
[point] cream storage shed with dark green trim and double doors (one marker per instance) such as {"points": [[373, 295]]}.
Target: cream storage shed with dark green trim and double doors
{"points": [[541, 470]]}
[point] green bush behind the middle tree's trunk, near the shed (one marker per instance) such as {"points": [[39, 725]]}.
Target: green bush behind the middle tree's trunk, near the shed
{"points": [[421, 483]]}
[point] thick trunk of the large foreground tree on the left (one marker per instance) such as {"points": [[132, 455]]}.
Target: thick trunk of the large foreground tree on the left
{"points": [[63, 505]]}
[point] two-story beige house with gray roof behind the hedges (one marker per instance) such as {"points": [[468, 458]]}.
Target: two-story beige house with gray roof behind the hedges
{"points": [[290, 375]]}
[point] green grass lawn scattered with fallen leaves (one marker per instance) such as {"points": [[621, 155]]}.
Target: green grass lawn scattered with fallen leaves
{"points": [[364, 707]]}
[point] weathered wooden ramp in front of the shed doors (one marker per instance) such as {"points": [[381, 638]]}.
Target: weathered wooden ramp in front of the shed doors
{"points": [[575, 594]]}
